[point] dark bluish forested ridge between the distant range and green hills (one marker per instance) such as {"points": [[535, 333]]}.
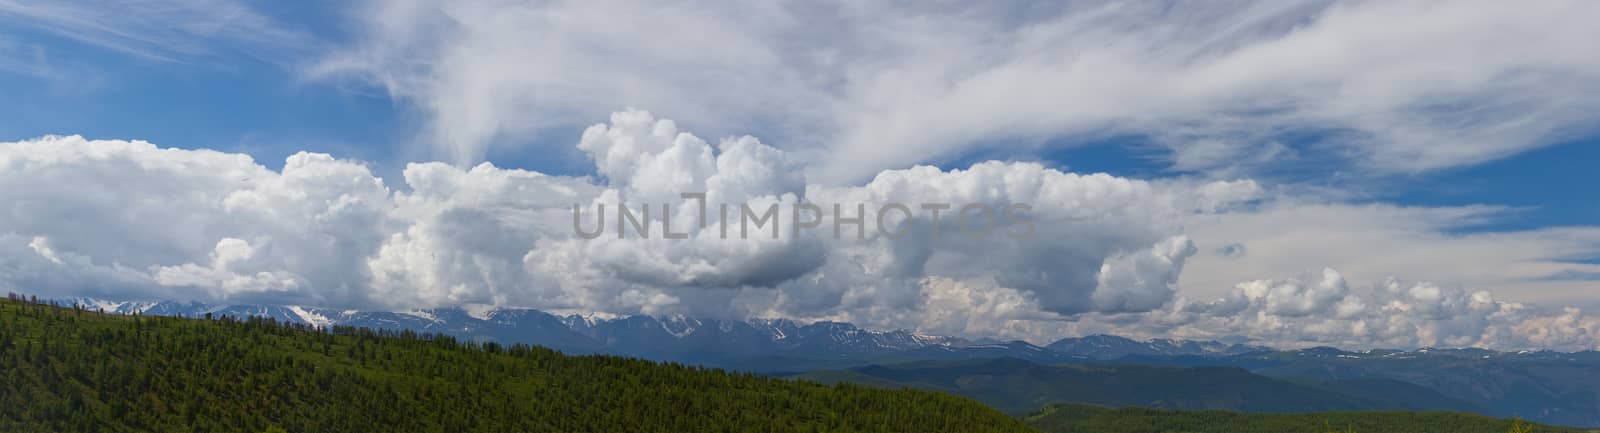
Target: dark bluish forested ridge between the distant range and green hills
{"points": [[1020, 387]]}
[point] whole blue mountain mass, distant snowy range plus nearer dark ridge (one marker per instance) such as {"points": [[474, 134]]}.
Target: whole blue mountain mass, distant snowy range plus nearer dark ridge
{"points": [[1540, 386]]}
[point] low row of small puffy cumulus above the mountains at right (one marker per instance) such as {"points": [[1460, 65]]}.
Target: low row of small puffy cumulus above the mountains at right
{"points": [[1322, 309]]}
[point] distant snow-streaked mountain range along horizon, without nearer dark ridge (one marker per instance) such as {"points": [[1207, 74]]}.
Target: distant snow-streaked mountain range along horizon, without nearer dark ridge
{"points": [[655, 336]]}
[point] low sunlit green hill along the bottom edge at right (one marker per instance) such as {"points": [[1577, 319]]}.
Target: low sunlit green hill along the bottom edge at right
{"points": [[1092, 419]]}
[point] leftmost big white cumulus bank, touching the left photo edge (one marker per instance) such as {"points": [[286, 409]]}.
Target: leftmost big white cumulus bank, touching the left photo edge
{"points": [[143, 218]]}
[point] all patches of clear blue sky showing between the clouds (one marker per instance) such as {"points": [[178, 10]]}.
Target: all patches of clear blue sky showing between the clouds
{"points": [[238, 103]]}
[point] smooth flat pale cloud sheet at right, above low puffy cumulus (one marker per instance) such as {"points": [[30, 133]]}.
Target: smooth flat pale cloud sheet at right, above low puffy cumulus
{"points": [[1377, 240]]}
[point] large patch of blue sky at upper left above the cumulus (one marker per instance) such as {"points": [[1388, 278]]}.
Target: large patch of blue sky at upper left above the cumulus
{"points": [[231, 101]]}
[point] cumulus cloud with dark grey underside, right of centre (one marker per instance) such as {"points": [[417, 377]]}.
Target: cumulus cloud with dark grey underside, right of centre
{"points": [[1098, 244]]}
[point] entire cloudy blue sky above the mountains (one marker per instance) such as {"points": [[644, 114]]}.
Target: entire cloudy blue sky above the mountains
{"points": [[1295, 173]]}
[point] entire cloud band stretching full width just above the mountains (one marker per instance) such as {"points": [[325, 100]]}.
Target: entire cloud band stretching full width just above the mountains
{"points": [[129, 220]]}
